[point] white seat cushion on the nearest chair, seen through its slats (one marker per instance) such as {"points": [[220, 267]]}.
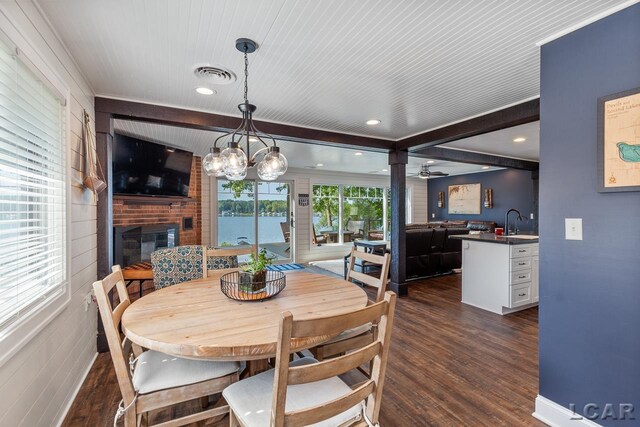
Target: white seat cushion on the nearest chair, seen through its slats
{"points": [[250, 399]]}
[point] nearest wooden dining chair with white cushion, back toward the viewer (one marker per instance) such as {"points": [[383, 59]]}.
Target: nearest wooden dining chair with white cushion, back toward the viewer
{"points": [[306, 391]]}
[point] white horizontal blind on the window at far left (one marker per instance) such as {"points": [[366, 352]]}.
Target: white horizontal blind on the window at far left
{"points": [[32, 192]]}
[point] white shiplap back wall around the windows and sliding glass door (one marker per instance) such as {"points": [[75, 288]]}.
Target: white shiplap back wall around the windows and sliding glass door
{"points": [[303, 180]]}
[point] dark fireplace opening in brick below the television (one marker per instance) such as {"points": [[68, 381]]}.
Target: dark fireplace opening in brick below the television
{"points": [[134, 244]]}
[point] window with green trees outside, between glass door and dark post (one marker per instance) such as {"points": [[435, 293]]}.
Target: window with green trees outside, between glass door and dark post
{"points": [[342, 213]]}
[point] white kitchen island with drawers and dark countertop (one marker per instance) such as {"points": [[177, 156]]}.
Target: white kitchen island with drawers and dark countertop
{"points": [[499, 273]]}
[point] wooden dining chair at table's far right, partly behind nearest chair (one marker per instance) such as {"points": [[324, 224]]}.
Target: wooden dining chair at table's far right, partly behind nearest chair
{"points": [[364, 333]]}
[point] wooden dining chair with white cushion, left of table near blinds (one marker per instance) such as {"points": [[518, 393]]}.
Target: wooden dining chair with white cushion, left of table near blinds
{"points": [[155, 380]]}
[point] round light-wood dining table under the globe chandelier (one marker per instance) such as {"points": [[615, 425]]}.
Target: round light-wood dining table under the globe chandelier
{"points": [[196, 320]]}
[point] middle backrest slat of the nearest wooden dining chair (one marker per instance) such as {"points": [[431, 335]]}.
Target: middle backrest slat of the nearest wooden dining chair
{"points": [[333, 367]]}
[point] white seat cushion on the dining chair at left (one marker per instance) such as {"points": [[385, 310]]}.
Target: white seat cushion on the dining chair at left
{"points": [[158, 371]]}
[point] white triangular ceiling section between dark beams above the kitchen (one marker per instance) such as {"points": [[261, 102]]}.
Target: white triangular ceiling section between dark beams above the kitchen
{"points": [[501, 142]]}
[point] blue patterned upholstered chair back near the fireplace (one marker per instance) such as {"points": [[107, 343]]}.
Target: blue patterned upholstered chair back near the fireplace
{"points": [[176, 265]]}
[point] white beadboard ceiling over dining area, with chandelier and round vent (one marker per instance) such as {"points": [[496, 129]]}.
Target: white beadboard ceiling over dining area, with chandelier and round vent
{"points": [[329, 65]]}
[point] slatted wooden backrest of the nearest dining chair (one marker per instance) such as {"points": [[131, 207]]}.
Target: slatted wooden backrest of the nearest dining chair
{"points": [[380, 313]]}
